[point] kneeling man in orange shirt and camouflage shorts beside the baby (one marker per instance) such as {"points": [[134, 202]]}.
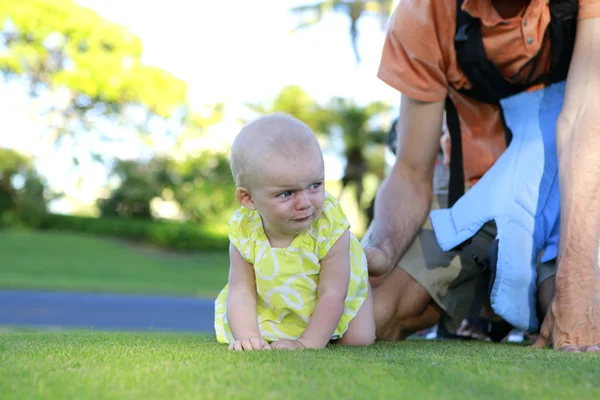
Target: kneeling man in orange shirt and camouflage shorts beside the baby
{"points": [[415, 282]]}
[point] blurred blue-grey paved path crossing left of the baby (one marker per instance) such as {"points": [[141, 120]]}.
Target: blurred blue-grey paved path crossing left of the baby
{"points": [[56, 310]]}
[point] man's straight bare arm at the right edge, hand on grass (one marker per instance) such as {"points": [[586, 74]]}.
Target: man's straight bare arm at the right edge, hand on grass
{"points": [[573, 321]]}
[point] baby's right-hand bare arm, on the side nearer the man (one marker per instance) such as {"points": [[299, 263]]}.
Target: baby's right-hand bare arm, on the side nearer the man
{"points": [[333, 288]]}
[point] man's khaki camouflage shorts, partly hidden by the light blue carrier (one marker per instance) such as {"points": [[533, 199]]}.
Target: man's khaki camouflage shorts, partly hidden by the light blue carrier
{"points": [[453, 278]]}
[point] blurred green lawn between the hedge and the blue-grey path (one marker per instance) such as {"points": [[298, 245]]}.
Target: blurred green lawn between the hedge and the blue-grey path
{"points": [[64, 261]]}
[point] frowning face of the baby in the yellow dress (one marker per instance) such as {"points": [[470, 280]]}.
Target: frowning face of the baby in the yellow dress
{"points": [[289, 193]]}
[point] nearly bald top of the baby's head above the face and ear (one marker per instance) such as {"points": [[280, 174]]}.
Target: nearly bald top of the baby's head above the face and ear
{"points": [[274, 136]]}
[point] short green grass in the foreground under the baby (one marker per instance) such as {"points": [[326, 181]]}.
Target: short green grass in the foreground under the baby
{"points": [[82, 365]]}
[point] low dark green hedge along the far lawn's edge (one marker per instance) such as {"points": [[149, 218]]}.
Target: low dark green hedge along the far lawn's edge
{"points": [[166, 234]]}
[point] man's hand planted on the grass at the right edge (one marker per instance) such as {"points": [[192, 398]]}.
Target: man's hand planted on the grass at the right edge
{"points": [[573, 320]]}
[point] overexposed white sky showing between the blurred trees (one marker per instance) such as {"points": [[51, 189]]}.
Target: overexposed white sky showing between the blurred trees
{"points": [[236, 52]]}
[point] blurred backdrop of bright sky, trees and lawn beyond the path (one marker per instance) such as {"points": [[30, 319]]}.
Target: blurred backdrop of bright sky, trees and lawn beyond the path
{"points": [[116, 119]]}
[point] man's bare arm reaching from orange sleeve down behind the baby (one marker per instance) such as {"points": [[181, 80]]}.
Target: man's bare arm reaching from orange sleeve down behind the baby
{"points": [[404, 199]]}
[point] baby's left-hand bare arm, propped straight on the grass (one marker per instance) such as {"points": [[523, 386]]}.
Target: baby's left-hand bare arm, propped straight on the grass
{"points": [[241, 304]]}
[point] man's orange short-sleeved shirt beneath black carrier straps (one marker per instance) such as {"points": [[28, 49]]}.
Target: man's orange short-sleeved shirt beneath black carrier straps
{"points": [[419, 60]]}
